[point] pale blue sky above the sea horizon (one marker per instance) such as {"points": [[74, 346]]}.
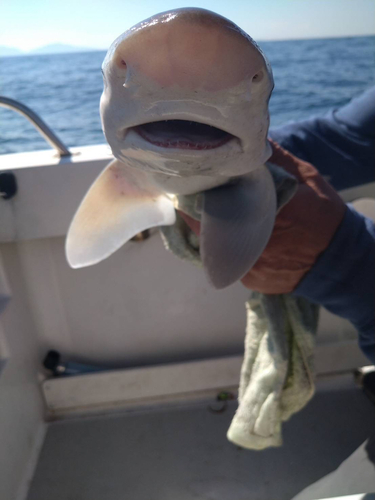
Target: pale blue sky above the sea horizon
{"points": [[27, 24]]}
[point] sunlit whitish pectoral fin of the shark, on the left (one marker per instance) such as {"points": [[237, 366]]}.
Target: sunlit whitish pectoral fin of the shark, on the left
{"points": [[121, 203]]}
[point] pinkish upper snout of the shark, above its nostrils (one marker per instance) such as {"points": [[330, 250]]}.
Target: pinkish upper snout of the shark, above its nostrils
{"points": [[190, 49]]}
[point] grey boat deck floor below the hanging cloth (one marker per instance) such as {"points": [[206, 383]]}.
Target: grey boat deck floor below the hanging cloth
{"points": [[180, 452]]}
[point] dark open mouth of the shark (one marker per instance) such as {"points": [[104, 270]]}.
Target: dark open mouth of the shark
{"points": [[183, 134]]}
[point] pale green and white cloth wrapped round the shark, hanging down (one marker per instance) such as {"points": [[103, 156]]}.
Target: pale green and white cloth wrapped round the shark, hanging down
{"points": [[277, 375]]}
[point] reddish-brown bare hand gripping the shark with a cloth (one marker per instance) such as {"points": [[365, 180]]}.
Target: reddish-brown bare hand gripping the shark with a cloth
{"points": [[303, 229]]}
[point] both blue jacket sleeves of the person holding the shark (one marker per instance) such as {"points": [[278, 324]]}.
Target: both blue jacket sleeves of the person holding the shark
{"points": [[341, 145]]}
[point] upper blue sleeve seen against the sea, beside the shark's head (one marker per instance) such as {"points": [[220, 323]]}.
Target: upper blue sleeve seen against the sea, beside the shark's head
{"points": [[341, 144]]}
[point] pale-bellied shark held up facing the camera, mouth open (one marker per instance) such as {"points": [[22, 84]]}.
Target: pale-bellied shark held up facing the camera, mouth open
{"points": [[184, 110]]}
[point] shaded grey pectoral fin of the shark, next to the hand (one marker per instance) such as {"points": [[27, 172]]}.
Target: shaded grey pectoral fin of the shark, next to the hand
{"points": [[237, 222]]}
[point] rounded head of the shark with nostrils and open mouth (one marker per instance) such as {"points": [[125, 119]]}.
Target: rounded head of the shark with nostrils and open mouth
{"points": [[186, 95]]}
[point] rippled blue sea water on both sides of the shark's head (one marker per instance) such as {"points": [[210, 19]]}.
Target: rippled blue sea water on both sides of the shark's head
{"points": [[311, 77]]}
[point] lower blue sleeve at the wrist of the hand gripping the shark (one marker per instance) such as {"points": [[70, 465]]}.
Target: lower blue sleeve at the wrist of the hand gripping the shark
{"points": [[343, 278]]}
